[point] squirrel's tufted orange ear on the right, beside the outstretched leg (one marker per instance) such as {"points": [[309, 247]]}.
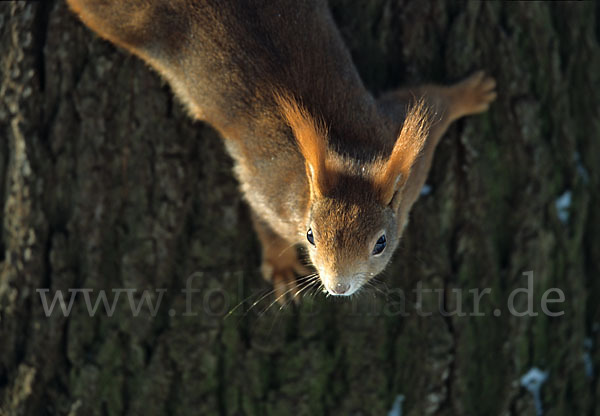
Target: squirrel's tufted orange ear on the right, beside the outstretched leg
{"points": [[394, 173]]}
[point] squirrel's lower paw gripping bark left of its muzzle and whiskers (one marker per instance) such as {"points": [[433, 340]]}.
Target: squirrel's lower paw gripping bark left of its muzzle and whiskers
{"points": [[281, 272]]}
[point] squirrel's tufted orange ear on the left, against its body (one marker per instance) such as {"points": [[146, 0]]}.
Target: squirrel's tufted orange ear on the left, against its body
{"points": [[310, 134]]}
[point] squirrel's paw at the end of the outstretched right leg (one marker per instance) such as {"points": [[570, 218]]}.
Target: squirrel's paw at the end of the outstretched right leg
{"points": [[475, 94]]}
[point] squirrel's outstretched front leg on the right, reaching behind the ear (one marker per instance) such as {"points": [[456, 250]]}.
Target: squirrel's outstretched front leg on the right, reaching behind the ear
{"points": [[446, 104]]}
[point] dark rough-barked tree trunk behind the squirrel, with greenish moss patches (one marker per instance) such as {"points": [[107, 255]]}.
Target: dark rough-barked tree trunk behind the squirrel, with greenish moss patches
{"points": [[107, 185]]}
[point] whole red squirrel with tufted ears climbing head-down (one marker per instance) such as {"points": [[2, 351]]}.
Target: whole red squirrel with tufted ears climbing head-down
{"points": [[321, 162]]}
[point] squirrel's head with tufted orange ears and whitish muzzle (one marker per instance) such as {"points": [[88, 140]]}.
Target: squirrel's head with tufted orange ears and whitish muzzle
{"points": [[353, 221]]}
